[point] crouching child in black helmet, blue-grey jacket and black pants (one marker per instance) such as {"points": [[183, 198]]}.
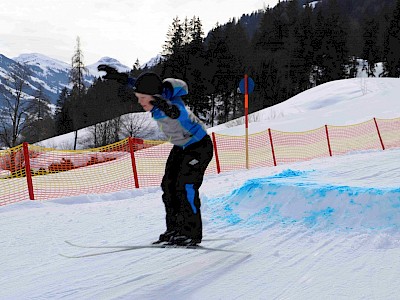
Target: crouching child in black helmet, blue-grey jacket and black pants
{"points": [[188, 159]]}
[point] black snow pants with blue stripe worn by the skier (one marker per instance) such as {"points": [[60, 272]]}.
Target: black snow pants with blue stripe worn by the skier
{"points": [[184, 172]]}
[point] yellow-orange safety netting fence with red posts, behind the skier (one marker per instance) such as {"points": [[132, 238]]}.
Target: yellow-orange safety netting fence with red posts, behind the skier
{"points": [[33, 172]]}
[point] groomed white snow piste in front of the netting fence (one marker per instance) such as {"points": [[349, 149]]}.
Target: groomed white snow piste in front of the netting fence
{"points": [[288, 260]]}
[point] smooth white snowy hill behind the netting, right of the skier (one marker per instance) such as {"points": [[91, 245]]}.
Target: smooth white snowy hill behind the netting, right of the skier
{"points": [[342, 102]]}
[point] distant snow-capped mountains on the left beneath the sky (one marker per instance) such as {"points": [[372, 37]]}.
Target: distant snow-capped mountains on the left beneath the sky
{"points": [[50, 73]]}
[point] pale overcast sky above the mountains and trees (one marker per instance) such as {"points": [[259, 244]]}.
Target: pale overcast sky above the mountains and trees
{"points": [[122, 29]]}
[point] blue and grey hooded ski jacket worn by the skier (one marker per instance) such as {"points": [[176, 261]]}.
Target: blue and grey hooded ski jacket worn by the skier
{"points": [[175, 120]]}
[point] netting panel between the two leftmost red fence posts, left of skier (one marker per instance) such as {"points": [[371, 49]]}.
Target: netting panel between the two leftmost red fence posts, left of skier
{"points": [[58, 173]]}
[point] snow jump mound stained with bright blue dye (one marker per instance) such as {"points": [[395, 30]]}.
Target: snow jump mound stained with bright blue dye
{"points": [[287, 198]]}
